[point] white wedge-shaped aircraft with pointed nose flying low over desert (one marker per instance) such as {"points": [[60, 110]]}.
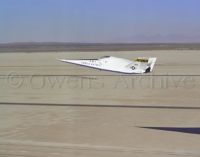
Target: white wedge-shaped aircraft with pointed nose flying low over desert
{"points": [[109, 63]]}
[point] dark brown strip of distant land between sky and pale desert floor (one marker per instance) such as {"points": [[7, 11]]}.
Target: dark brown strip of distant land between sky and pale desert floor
{"points": [[92, 47]]}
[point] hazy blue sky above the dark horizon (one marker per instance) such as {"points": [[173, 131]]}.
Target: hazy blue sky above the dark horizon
{"points": [[99, 20]]}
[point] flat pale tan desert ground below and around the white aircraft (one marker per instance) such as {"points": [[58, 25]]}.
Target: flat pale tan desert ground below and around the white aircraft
{"points": [[49, 108]]}
